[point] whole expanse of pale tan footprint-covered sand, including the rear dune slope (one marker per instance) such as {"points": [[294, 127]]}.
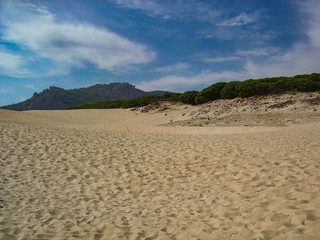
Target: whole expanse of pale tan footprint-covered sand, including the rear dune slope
{"points": [[171, 171]]}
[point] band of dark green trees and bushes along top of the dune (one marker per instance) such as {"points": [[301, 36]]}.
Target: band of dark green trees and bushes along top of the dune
{"points": [[222, 90]]}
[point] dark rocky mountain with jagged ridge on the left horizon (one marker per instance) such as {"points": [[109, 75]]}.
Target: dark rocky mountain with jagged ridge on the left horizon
{"points": [[55, 98]]}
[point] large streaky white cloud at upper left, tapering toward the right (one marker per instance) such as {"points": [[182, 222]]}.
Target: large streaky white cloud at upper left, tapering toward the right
{"points": [[69, 44]]}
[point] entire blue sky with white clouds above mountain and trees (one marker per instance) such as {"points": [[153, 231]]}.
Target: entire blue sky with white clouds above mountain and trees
{"points": [[174, 45]]}
